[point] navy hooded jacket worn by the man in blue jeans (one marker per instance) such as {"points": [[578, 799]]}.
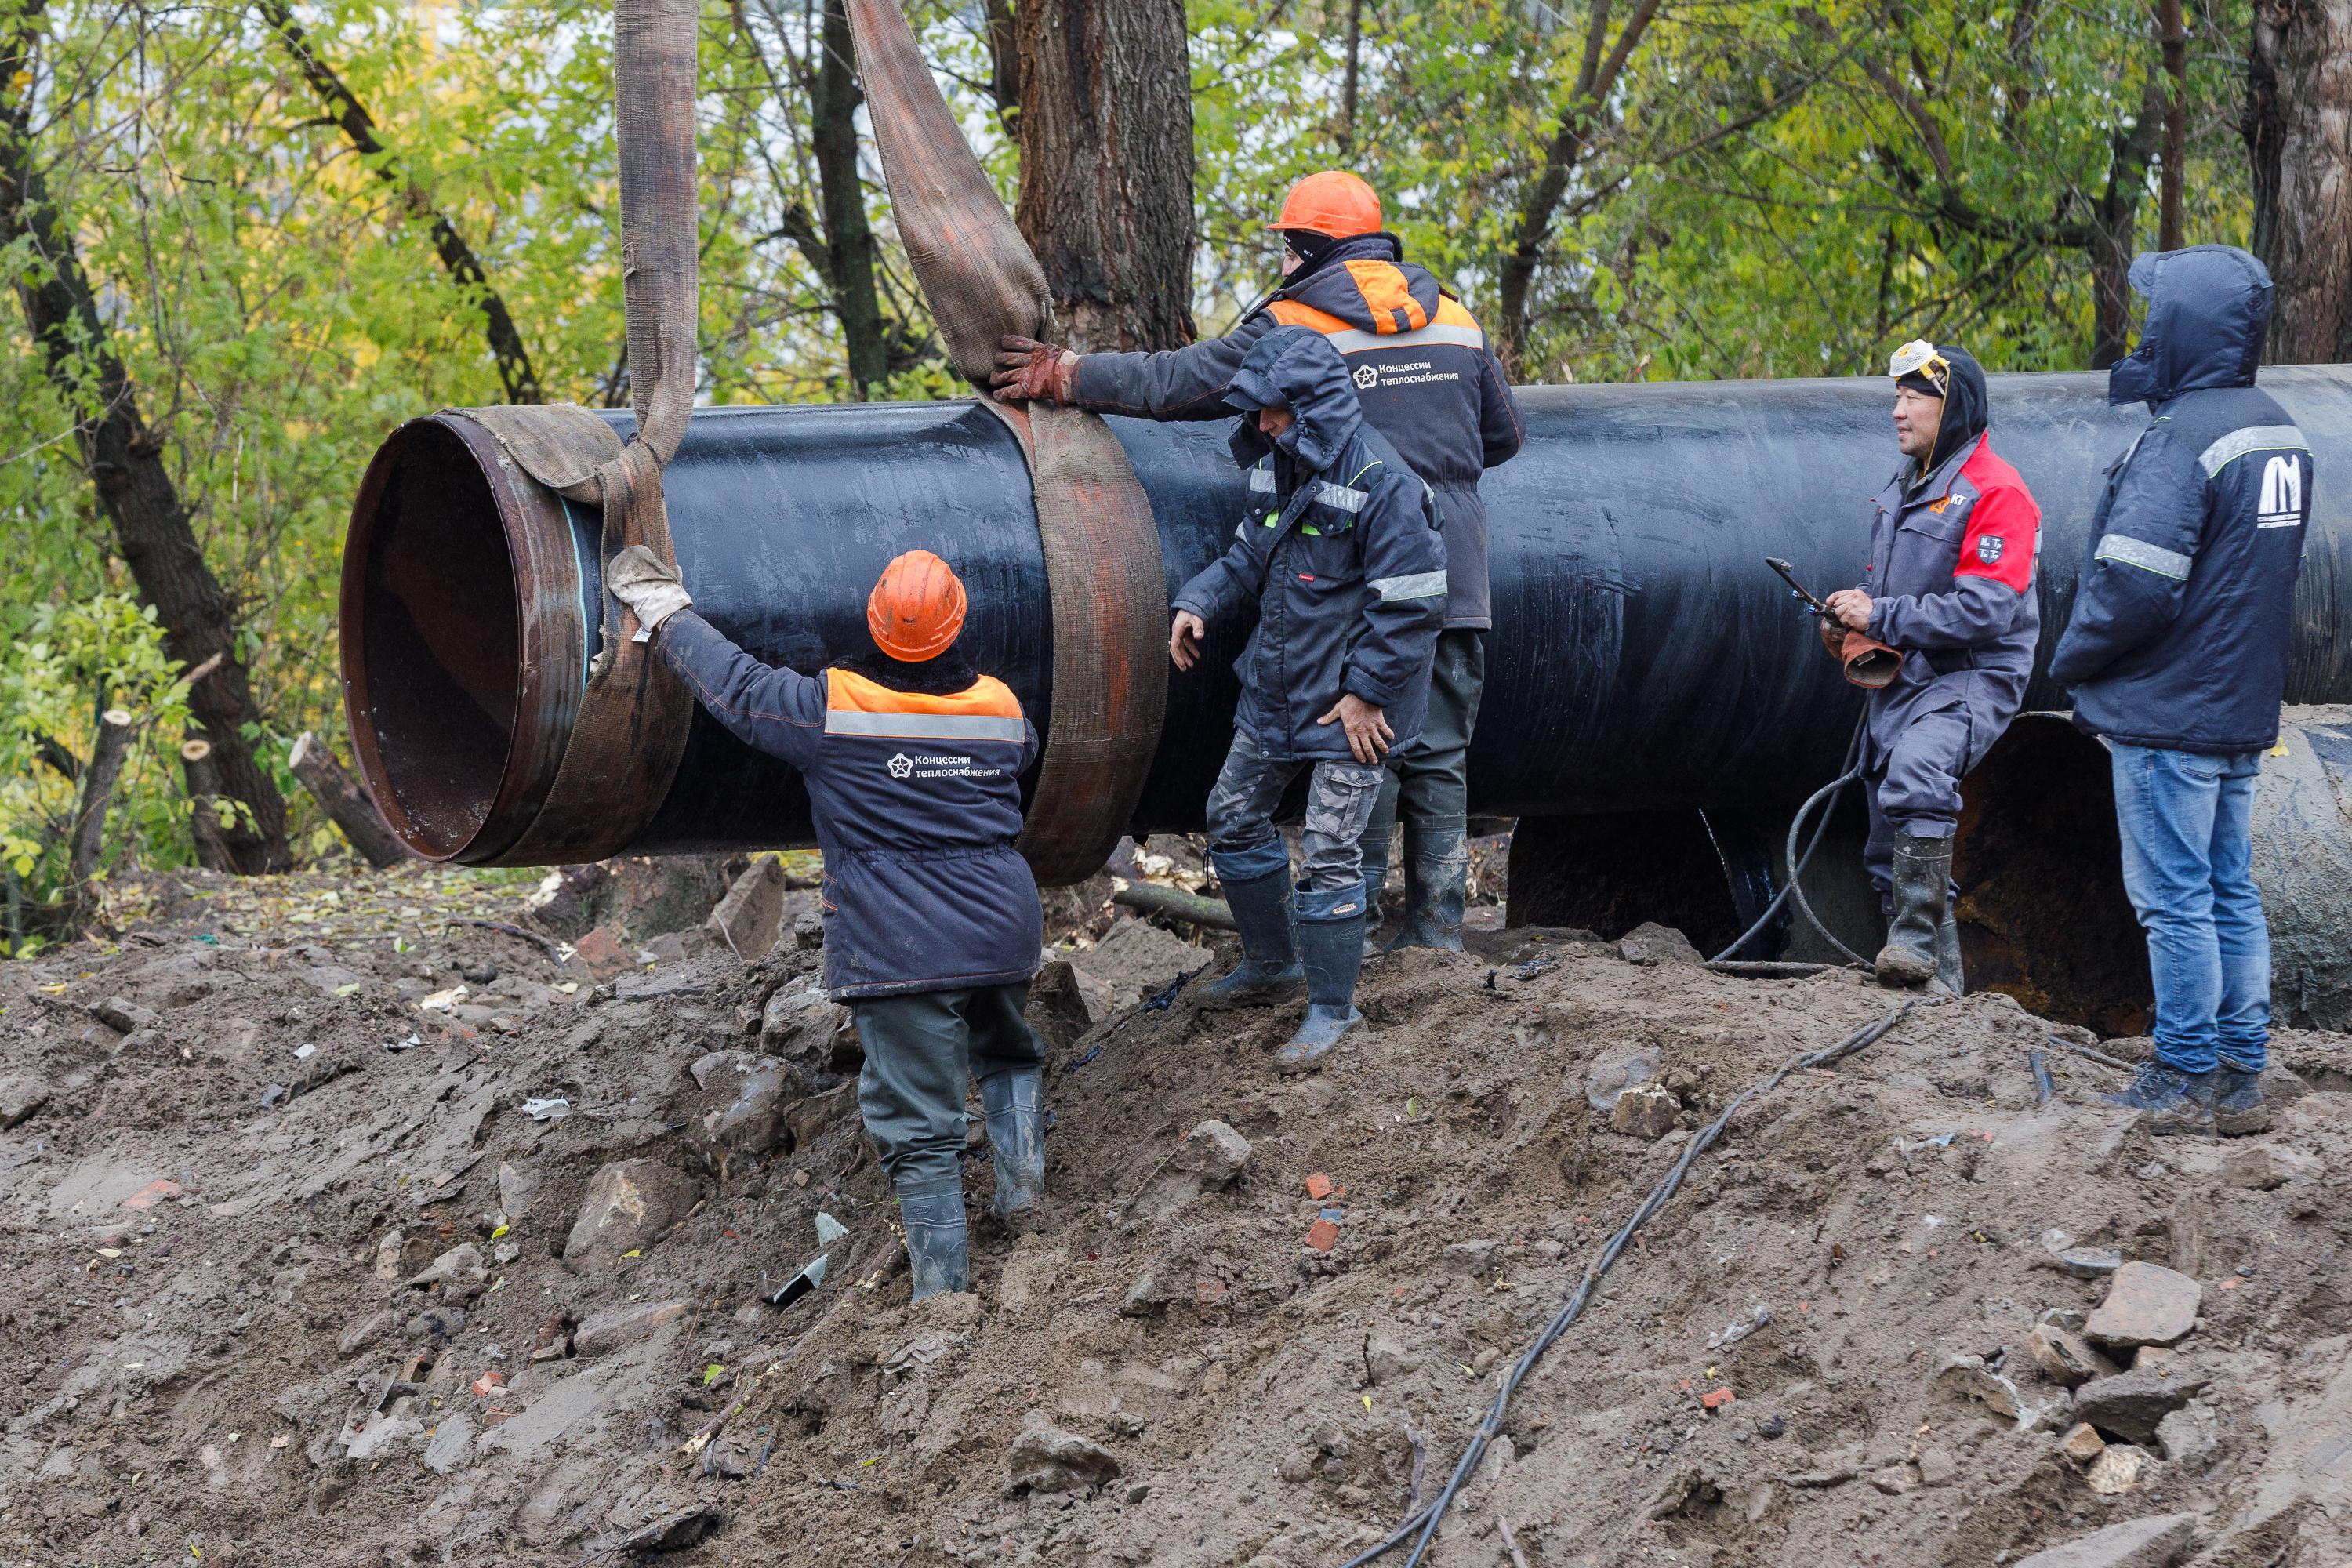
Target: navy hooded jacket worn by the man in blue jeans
{"points": [[2184, 617]]}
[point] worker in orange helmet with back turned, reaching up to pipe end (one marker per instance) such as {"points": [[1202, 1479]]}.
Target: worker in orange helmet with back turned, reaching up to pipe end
{"points": [[933, 918]]}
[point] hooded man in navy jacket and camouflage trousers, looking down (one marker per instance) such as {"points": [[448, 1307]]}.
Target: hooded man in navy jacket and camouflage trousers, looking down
{"points": [[1344, 558]]}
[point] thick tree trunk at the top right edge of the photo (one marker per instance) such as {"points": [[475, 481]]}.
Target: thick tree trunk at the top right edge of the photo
{"points": [[2299, 130]]}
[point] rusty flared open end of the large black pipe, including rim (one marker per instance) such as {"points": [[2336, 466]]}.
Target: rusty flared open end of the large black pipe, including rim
{"points": [[465, 638]]}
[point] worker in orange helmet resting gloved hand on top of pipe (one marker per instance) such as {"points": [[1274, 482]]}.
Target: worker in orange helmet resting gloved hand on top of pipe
{"points": [[1431, 387]]}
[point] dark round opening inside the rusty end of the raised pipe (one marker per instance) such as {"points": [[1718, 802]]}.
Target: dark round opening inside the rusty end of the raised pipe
{"points": [[434, 638]]}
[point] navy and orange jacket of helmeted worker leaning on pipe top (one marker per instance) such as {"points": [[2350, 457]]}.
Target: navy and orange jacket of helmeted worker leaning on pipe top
{"points": [[1422, 370]]}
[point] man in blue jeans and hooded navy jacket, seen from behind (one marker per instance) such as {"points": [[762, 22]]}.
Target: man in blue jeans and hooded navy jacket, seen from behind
{"points": [[2177, 657]]}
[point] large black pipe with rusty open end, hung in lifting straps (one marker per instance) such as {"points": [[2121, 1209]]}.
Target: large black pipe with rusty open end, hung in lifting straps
{"points": [[1643, 657]]}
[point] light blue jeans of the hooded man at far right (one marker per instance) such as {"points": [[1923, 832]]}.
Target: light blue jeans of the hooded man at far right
{"points": [[2186, 824]]}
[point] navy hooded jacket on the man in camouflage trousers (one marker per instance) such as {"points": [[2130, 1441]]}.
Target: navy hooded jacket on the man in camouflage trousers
{"points": [[1342, 549]]}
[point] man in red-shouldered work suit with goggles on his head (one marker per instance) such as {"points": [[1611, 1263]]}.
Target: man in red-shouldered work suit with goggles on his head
{"points": [[1951, 584]]}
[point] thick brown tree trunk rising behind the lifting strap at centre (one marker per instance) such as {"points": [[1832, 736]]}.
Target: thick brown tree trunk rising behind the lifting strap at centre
{"points": [[1107, 168]]}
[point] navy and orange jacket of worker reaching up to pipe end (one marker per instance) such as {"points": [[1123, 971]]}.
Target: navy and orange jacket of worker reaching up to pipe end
{"points": [[916, 800]]}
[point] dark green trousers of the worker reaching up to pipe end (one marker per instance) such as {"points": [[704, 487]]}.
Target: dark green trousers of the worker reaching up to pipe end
{"points": [[918, 1050]]}
